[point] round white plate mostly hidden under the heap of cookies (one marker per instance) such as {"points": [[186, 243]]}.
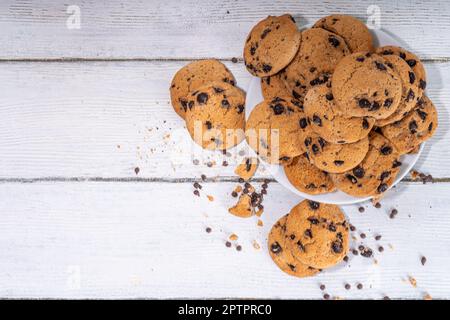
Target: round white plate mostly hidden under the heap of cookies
{"points": [[254, 96]]}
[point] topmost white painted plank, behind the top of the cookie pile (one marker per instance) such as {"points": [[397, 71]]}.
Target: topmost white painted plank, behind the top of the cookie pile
{"points": [[189, 28]]}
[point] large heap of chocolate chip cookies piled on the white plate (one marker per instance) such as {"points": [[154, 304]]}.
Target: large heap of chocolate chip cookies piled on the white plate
{"points": [[338, 113]]}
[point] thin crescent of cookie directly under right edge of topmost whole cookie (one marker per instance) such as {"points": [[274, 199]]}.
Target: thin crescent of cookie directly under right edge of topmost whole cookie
{"points": [[410, 89]]}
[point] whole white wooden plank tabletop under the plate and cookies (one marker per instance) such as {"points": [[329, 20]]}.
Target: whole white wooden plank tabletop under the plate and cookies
{"points": [[81, 108]]}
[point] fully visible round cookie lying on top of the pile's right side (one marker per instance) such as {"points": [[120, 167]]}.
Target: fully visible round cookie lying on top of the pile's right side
{"points": [[363, 85]]}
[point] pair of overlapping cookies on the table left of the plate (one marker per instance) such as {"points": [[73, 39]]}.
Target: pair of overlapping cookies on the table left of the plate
{"points": [[205, 95]]}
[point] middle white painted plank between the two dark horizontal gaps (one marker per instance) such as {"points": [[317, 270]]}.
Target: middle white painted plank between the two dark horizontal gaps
{"points": [[94, 120]]}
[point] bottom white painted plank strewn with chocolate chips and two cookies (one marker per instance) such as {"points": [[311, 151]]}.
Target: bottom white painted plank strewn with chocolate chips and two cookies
{"points": [[133, 240]]}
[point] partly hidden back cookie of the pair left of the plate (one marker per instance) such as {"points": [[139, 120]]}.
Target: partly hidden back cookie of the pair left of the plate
{"points": [[193, 76]]}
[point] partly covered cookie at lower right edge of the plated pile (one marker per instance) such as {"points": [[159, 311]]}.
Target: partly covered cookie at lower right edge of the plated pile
{"points": [[375, 174]]}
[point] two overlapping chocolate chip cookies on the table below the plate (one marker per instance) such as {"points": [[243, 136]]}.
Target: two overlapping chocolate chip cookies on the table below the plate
{"points": [[311, 237]]}
